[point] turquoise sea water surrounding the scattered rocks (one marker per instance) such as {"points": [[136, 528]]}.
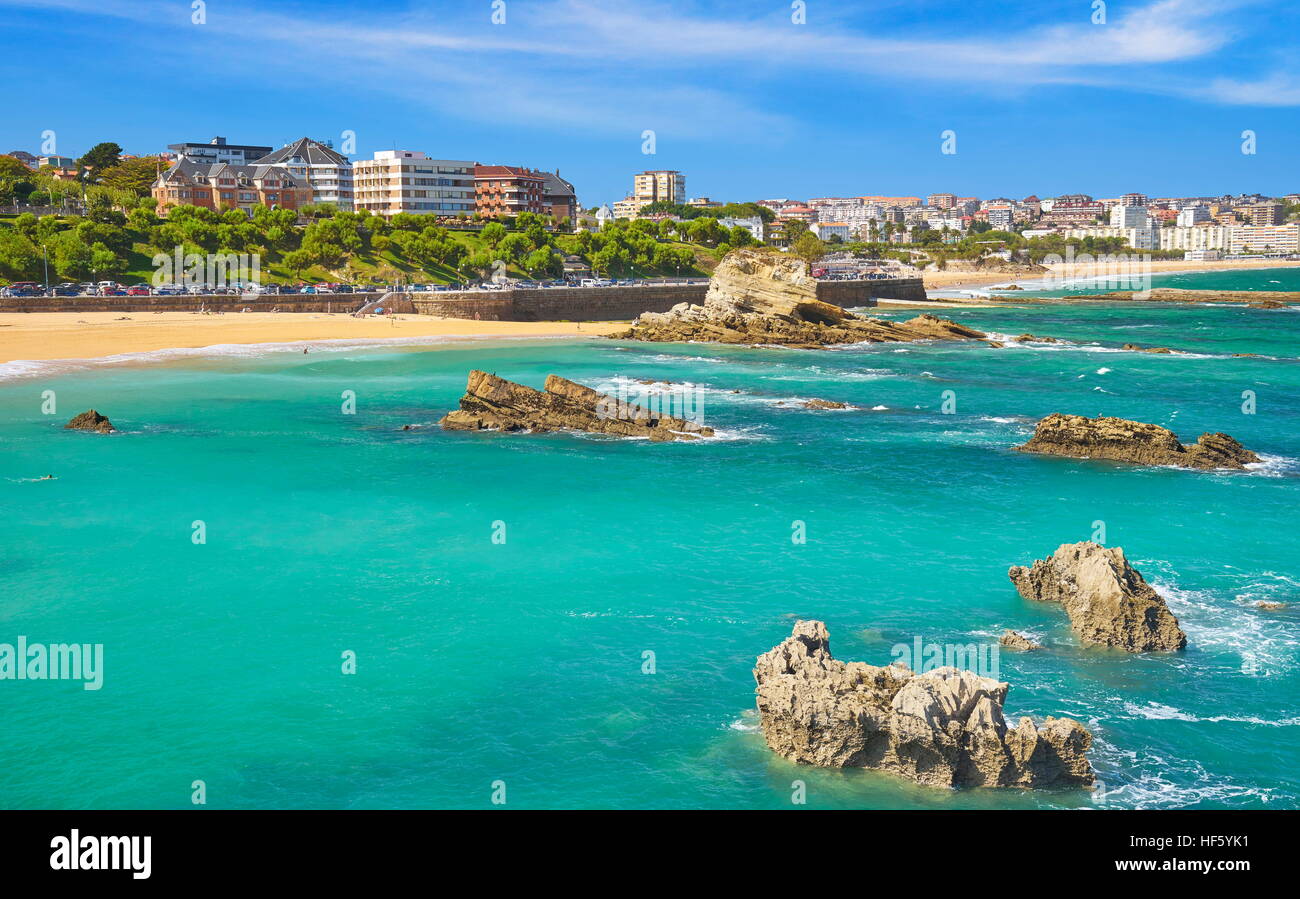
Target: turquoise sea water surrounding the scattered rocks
{"points": [[523, 662]]}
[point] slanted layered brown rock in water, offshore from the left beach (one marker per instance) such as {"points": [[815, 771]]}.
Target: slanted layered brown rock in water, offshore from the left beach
{"points": [[493, 403]]}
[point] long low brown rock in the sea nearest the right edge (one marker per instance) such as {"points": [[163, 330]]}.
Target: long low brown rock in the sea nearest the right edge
{"points": [[1134, 442]]}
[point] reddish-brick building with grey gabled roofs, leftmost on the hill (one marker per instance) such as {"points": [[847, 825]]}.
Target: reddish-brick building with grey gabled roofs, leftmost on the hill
{"points": [[224, 186]]}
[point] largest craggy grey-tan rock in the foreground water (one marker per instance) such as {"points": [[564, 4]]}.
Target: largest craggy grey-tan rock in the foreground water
{"points": [[942, 728]]}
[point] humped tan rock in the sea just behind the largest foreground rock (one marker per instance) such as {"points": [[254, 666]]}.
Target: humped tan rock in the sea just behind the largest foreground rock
{"points": [[1108, 601]]}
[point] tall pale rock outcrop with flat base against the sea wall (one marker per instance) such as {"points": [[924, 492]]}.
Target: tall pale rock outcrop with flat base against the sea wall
{"points": [[766, 298]]}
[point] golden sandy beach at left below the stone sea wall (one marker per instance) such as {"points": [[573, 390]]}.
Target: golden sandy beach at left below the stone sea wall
{"points": [[44, 336]]}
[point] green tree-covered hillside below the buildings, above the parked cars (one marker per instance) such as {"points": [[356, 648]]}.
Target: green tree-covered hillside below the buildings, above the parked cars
{"points": [[343, 247]]}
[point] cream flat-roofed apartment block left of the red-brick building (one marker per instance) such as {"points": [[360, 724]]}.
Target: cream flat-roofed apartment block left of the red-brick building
{"points": [[398, 181]]}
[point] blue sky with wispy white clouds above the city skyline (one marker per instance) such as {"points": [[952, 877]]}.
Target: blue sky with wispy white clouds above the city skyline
{"points": [[743, 99]]}
